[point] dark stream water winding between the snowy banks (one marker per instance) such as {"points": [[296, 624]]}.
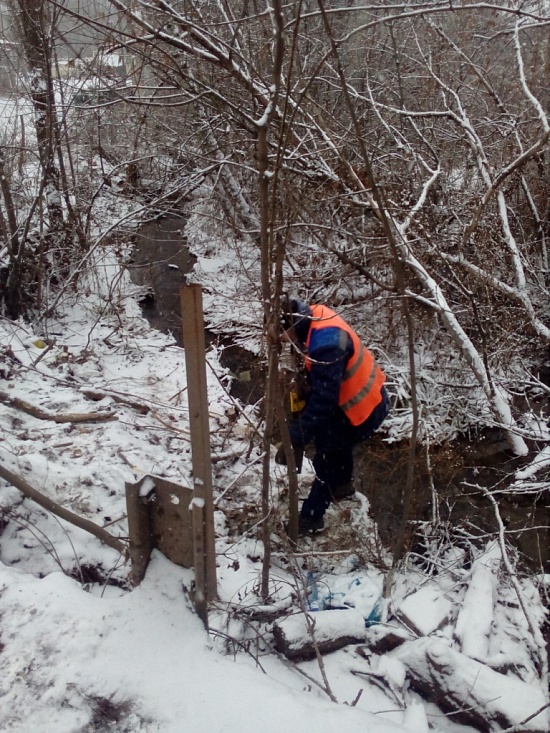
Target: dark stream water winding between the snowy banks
{"points": [[162, 260]]}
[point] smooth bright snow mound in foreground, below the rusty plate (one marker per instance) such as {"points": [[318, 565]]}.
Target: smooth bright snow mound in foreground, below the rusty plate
{"points": [[146, 649]]}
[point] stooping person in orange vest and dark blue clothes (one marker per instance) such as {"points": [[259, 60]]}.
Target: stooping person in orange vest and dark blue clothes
{"points": [[347, 402]]}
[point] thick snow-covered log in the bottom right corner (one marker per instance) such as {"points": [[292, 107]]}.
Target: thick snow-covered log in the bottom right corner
{"points": [[472, 692]]}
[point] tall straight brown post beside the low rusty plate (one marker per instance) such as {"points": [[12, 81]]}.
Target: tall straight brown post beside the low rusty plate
{"points": [[195, 364]]}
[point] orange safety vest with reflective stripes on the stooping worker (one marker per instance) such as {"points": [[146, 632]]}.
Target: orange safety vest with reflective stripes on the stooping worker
{"points": [[360, 391]]}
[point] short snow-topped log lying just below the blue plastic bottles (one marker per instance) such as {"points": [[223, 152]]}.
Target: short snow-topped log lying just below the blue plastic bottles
{"points": [[300, 636]]}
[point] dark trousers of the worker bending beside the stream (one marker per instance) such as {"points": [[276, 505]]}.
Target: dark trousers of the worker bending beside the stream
{"points": [[333, 459]]}
